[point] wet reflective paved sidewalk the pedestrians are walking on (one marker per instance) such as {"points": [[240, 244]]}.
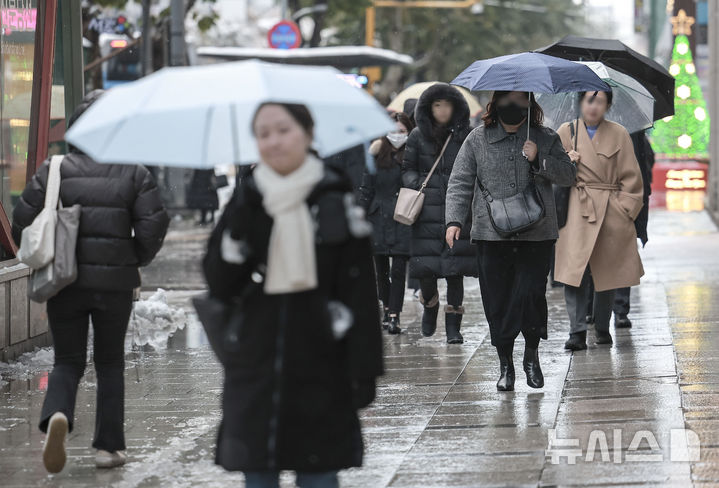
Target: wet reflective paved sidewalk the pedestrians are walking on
{"points": [[608, 416]]}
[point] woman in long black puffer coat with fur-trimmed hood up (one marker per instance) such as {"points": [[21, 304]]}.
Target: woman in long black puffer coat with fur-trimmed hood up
{"points": [[441, 113]]}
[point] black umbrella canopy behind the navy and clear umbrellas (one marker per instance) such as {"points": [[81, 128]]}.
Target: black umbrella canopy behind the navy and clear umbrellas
{"points": [[615, 54]]}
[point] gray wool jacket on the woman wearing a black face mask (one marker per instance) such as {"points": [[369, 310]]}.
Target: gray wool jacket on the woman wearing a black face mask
{"points": [[495, 156]]}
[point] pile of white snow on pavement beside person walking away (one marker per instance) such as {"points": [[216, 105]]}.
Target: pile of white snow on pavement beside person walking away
{"points": [[153, 321]]}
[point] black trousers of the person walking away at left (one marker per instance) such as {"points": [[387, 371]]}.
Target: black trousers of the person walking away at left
{"points": [[69, 313]]}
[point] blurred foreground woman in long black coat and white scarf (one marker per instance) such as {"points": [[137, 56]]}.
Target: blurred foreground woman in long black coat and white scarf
{"points": [[292, 390]]}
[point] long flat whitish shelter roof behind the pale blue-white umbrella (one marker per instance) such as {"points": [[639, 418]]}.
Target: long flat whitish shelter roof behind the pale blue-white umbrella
{"points": [[339, 56]]}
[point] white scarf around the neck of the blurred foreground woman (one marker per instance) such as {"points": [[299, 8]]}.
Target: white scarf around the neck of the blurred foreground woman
{"points": [[291, 260]]}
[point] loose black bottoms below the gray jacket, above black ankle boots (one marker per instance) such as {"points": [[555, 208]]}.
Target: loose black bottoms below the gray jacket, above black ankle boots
{"points": [[513, 281]]}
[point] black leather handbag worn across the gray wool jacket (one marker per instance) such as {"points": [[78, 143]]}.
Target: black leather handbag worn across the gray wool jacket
{"points": [[515, 214]]}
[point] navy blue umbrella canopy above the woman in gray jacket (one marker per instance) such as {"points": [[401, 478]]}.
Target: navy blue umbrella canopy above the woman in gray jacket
{"points": [[529, 72]]}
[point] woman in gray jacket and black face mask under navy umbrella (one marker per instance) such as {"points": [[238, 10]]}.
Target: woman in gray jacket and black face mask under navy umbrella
{"points": [[512, 270]]}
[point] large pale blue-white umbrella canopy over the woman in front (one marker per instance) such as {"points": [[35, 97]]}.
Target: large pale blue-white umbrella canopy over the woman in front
{"points": [[200, 117]]}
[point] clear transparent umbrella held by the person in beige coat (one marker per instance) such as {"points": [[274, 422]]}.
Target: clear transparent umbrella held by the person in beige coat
{"points": [[632, 105]]}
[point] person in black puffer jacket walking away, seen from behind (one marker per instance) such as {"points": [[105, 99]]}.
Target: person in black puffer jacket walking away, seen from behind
{"points": [[122, 227]]}
